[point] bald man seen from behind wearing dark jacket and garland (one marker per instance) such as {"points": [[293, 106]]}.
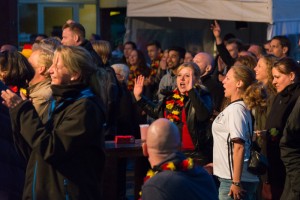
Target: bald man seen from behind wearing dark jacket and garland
{"points": [[182, 182]]}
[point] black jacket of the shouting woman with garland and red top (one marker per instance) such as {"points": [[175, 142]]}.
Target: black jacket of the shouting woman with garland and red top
{"points": [[198, 109]]}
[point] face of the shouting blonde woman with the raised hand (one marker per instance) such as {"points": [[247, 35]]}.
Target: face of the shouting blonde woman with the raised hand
{"points": [[184, 77]]}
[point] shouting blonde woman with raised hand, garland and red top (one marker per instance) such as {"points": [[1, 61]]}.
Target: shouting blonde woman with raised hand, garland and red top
{"points": [[189, 106]]}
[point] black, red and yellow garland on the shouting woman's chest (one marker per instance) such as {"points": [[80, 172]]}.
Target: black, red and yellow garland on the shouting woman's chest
{"points": [[174, 106]]}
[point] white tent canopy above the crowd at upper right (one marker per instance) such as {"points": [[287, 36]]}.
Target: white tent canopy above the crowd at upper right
{"points": [[281, 15]]}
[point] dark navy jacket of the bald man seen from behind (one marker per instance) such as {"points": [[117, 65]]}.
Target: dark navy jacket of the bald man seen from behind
{"points": [[192, 184]]}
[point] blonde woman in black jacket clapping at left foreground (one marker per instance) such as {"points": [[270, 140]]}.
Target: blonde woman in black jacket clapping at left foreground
{"points": [[67, 157]]}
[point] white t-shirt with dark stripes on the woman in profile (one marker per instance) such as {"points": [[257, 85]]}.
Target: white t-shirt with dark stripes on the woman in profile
{"points": [[236, 120]]}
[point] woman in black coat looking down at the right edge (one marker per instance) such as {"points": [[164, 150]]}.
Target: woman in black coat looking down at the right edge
{"points": [[286, 73]]}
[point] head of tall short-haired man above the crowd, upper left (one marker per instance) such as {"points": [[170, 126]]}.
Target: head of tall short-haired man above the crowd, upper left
{"points": [[73, 34]]}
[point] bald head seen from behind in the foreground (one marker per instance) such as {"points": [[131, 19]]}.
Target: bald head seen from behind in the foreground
{"points": [[163, 139]]}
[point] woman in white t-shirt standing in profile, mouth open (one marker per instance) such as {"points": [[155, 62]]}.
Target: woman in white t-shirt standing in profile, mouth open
{"points": [[232, 130]]}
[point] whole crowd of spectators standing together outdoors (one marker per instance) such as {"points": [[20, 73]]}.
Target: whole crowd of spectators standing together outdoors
{"points": [[67, 96]]}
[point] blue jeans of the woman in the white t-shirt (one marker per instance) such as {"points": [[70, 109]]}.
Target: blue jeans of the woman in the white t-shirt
{"points": [[225, 185]]}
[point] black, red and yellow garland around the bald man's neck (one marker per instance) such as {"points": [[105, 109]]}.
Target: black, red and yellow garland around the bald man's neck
{"points": [[183, 166]]}
